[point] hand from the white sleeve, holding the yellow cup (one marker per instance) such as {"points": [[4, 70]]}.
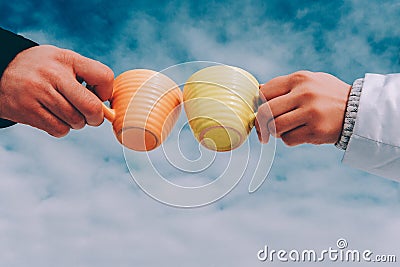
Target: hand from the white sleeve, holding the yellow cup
{"points": [[303, 107]]}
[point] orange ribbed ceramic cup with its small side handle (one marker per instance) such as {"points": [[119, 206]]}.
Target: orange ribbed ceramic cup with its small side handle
{"points": [[145, 107]]}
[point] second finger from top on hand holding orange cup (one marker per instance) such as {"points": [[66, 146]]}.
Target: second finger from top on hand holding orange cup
{"points": [[86, 102]]}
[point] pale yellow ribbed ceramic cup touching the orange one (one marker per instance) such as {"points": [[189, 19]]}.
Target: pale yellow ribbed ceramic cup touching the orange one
{"points": [[220, 103]]}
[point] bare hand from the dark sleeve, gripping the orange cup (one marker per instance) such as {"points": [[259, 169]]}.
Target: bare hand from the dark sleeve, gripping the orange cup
{"points": [[40, 88]]}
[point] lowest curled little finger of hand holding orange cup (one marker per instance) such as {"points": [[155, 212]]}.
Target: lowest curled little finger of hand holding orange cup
{"points": [[46, 121]]}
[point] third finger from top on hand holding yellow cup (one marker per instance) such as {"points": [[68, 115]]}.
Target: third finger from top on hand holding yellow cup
{"points": [[287, 122]]}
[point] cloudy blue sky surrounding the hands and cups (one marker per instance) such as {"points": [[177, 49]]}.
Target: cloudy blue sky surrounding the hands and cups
{"points": [[72, 202]]}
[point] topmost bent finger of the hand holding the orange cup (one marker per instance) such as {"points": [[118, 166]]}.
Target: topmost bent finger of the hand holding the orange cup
{"points": [[95, 73]]}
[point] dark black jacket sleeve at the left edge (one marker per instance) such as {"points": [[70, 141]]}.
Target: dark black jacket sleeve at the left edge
{"points": [[10, 45]]}
